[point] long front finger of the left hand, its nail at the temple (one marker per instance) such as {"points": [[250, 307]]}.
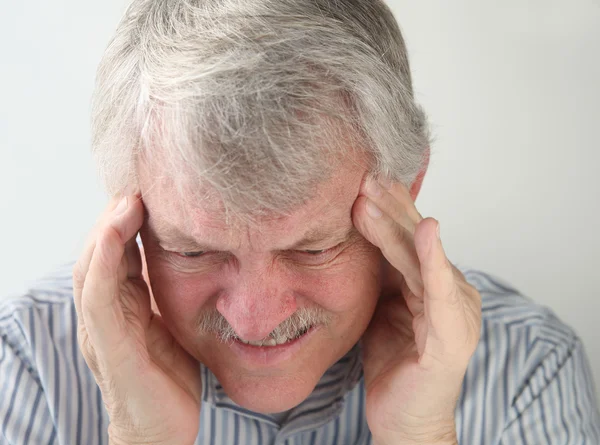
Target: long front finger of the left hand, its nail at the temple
{"points": [[108, 271]]}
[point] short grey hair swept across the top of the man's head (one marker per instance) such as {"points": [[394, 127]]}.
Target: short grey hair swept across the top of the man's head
{"points": [[255, 99]]}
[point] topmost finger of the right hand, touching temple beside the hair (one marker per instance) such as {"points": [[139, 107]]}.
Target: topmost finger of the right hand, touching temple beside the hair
{"points": [[394, 201]]}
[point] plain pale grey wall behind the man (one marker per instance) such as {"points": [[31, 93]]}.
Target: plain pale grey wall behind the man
{"points": [[513, 97]]}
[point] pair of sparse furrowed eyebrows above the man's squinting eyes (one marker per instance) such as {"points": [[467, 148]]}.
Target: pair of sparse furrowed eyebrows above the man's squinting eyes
{"points": [[169, 234]]}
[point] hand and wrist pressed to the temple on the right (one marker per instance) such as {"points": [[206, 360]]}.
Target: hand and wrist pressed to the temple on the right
{"points": [[425, 328]]}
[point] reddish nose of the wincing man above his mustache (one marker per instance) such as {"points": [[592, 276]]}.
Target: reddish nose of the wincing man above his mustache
{"points": [[256, 304]]}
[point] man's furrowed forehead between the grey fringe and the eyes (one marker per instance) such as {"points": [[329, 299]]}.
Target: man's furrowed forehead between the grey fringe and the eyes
{"points": [[328, 210]]}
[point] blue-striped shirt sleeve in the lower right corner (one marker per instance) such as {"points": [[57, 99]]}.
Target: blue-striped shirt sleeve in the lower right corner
{"points": [[557, 404]]}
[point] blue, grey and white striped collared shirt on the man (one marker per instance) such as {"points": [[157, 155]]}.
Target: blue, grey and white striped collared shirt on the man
{"points": [[529, 382]]}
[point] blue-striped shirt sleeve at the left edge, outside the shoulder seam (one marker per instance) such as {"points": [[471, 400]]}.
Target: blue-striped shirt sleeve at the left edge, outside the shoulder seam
{"points": [[24, 414]]}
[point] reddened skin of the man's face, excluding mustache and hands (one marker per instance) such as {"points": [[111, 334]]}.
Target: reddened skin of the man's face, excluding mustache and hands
{"points": [[257, 280]]}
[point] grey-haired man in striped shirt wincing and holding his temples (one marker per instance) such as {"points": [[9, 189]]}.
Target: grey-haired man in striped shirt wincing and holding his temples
{"points": [[288, 291]]}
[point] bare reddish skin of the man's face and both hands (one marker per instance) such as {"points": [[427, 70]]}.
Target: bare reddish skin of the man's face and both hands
{"points": [[391, 286]]}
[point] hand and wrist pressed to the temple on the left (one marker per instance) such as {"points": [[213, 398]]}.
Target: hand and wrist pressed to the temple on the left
{"points": [[150, 386]]}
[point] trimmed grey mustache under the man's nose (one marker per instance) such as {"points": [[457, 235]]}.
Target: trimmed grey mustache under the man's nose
{"points": [[213, 322]]}
